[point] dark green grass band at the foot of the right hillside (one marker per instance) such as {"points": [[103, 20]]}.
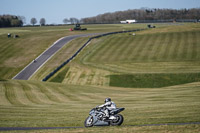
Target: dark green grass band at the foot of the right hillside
{"points": [[153, 80]]}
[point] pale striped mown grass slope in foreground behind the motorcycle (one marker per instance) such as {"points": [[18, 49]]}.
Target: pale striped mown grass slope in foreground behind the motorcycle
{"points": [[39, 104]]}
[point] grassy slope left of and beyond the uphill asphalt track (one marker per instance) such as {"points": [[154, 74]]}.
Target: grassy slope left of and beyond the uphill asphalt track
{"points": [[17, 53]]}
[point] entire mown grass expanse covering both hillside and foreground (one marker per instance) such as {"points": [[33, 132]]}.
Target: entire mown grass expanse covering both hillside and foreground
{"points": [[154, 75]]}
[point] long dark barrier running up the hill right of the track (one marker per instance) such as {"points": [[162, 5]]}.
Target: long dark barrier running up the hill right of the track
{"points": [[79, 50]]}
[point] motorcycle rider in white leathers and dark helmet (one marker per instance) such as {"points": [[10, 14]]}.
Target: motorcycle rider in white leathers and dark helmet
{"points": [[109, 105]]}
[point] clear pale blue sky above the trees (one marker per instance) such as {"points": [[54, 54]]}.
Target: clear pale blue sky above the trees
{"points": [[54, 11]]}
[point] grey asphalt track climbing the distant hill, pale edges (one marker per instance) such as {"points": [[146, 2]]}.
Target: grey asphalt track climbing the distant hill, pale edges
{"points": [[32, 67]]}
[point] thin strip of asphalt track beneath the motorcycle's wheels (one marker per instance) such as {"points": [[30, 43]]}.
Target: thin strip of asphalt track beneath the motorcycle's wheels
{"points": [[47, 128]]}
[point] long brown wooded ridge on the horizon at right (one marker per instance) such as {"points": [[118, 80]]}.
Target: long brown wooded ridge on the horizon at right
{"points": [[145, 14]]}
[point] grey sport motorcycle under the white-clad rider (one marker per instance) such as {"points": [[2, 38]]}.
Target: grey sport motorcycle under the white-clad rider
{"points": [[97, 117]]}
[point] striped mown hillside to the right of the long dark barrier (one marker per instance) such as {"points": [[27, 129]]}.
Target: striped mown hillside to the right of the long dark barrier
{"points": [[169, 53]]}
